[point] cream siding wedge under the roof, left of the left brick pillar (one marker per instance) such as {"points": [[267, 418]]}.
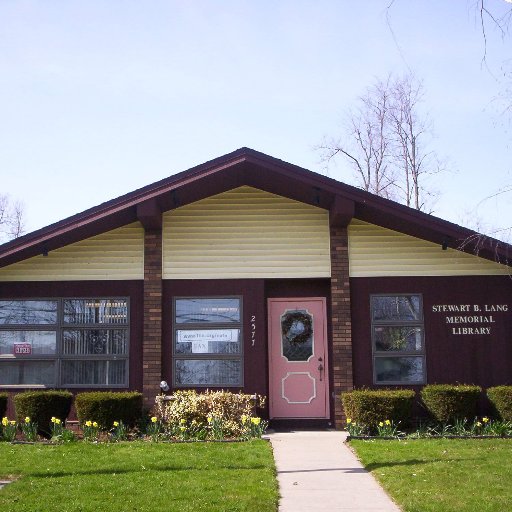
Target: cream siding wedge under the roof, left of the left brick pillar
{"points": [[114, 255]]}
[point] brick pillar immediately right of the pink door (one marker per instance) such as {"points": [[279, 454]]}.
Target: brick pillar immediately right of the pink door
{"points": [[341, 319]]}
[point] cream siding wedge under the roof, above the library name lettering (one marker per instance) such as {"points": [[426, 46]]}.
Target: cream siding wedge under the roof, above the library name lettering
{"points": [[378, 252]]}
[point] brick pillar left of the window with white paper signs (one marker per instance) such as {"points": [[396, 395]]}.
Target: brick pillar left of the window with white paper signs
{"points": [[152, 337]]}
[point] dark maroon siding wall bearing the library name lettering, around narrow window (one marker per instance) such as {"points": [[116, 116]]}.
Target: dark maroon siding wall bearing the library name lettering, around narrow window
{"points": [[485, 360]]}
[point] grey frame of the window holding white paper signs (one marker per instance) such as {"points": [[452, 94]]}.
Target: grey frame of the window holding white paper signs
{"points": [[207, 356]]}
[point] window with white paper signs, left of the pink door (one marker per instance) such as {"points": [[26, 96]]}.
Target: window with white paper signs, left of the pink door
{"points": [[207, 346]]}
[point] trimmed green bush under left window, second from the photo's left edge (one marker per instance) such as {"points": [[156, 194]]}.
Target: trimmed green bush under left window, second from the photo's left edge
{"points": [[40, 406]]}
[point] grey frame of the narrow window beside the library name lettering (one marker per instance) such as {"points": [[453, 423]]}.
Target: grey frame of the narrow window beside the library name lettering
{"points": [[376, 354]]}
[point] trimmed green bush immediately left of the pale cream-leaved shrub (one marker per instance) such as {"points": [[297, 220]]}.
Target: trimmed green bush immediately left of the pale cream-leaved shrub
{"points": [[105, 407]]}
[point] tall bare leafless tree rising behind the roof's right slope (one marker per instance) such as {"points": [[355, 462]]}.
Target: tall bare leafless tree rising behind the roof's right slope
{"points": [[386, 142]]}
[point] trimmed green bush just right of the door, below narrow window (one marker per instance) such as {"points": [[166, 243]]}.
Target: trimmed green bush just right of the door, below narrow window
{"points": [[369, 407]]}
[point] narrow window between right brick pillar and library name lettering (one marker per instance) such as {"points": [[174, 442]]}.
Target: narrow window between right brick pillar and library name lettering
{"points": [[398, 339]]}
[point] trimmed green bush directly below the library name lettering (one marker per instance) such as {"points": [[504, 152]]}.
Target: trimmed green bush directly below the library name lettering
{"points": [[448, 402]]}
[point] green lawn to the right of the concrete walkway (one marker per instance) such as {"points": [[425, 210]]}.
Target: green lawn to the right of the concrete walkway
{"points": [[442, 475]]}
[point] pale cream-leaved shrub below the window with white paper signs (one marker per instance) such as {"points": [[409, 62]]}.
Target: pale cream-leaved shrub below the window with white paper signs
{"points": [[208, 410]]}
